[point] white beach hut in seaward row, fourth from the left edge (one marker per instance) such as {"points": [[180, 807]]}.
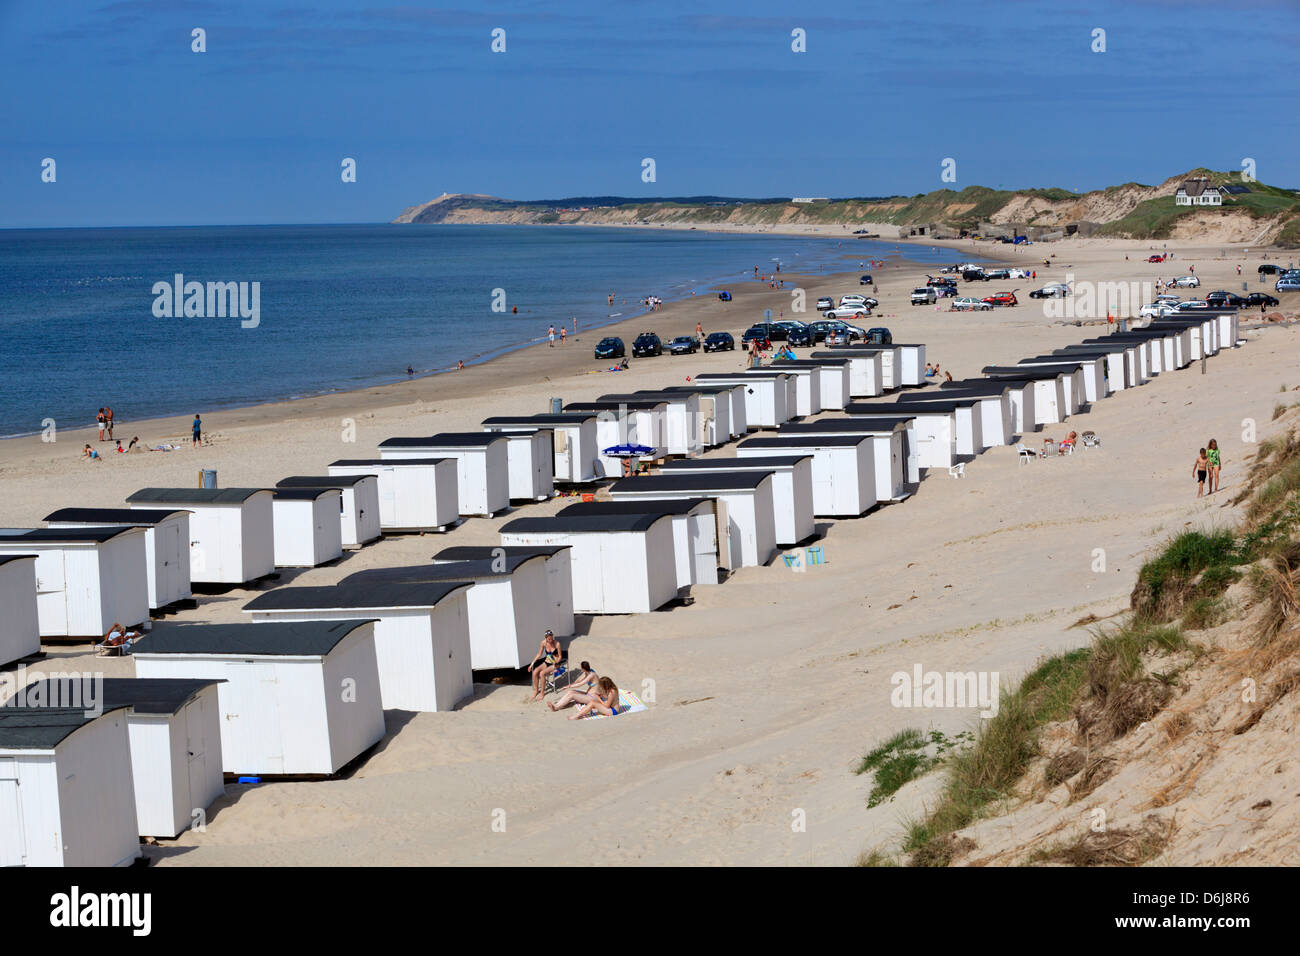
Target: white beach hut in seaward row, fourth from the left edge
{"points": [[232, 530]]}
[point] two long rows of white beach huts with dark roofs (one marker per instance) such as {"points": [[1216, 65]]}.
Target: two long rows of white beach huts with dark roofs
{"points": [[302, 689]]}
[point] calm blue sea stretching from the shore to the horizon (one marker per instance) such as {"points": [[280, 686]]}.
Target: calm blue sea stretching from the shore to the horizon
{"points": [[340, 306]]}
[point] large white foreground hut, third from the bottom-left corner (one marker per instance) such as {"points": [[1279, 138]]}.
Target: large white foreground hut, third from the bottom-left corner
{"points": [[297, 698]]}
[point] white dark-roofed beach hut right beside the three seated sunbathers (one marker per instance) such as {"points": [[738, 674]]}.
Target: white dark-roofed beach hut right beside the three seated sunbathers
{"points": [[508, 605]]}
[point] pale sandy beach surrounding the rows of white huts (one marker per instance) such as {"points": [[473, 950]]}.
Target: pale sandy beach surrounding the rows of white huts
{"points": [[768, 690]]}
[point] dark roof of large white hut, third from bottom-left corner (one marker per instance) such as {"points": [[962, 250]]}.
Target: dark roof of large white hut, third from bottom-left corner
{"points": [[289, 639]]}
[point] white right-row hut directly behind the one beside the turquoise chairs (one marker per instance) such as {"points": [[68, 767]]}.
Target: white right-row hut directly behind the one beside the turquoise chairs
{"points": [[844, 481]]}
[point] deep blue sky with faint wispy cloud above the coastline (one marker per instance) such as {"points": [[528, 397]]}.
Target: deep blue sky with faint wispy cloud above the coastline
{"points": [[145, 131]]}
